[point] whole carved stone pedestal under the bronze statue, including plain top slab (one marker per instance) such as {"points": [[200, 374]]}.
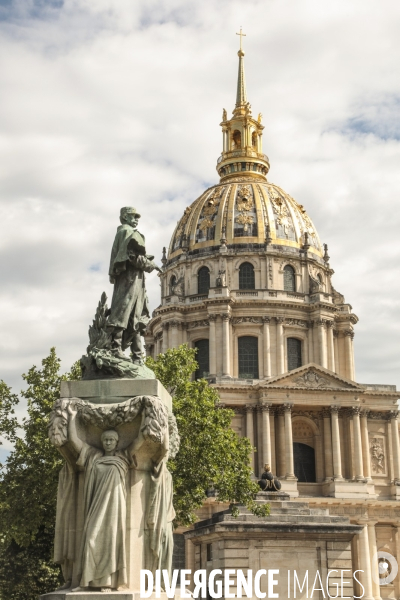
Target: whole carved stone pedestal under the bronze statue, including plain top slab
{"points": [[137, 415]]}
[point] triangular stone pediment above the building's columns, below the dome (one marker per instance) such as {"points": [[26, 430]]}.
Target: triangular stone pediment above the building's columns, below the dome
{"points": [[311, 377]]}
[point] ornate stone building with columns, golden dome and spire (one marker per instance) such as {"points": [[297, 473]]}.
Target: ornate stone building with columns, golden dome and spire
{"points": [[247, 281]]}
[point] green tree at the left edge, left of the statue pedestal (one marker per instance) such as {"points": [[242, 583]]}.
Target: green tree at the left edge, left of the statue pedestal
{"points": [[28, 486]]}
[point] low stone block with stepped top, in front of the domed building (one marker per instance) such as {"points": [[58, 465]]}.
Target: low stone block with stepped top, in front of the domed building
{"points": [[294, 537]]}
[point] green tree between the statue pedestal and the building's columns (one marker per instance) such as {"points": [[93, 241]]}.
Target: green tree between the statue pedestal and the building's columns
{"points": [[211, 453]]}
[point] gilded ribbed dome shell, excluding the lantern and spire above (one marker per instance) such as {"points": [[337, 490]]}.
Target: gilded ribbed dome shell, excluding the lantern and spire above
{"points": [[244, 210]]}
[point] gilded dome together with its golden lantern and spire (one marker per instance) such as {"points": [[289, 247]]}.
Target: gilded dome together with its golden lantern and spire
{"points": [[244, 208]]}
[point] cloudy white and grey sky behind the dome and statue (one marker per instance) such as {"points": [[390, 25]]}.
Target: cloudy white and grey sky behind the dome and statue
{"points": [[106, 103]]}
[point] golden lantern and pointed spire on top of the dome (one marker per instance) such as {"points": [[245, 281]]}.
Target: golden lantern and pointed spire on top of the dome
{"points": [[242, 135]]}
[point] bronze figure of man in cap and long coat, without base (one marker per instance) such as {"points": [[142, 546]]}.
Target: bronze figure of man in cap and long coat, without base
{"points": [[129, 312]]}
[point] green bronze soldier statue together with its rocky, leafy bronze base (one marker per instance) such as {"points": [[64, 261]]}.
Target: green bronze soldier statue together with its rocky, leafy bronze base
{"points": [[121, 326]]}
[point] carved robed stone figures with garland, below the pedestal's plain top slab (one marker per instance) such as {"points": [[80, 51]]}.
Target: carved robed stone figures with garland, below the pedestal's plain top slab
{"points": [[91, 522]]}
